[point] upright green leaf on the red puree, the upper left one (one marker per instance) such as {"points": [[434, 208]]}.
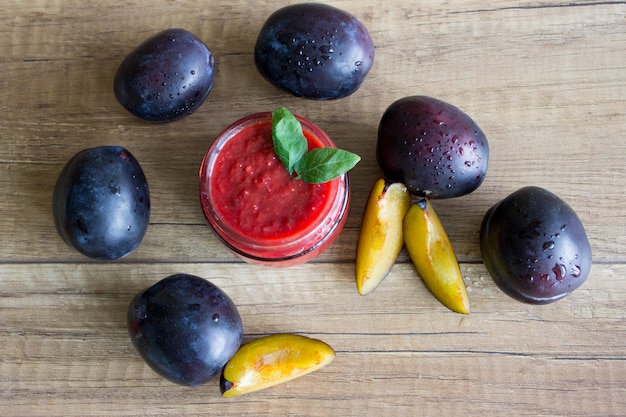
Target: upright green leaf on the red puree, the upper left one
{"points": [[289, 141]]}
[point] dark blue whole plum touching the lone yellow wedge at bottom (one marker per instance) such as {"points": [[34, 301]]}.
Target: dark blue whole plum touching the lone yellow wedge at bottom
{"points": [[185, 328]]}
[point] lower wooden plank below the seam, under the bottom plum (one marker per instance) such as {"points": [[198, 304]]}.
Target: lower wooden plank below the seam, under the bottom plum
{"points": [[65, 348]]}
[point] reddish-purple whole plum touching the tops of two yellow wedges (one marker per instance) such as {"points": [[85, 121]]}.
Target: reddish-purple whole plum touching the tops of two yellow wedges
{"points": [[433, 147]]}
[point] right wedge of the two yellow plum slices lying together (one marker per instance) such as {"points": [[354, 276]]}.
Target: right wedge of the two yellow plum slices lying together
{"points": [[430, 251]]}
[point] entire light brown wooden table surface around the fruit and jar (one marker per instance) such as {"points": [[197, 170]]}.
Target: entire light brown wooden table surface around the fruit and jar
{"points": [[545, 80]]}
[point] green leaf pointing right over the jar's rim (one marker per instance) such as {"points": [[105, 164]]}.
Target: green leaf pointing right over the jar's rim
{"points": [[324, 164]]}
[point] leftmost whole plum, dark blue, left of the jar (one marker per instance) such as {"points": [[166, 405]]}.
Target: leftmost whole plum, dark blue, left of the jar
{"points": [[101, 203]]}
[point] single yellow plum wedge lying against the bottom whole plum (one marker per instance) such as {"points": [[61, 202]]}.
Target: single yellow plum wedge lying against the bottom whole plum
{"points": [[272, 360]]}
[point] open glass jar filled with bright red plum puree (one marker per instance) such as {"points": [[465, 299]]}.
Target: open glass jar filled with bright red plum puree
{"points": [[259, 211]]}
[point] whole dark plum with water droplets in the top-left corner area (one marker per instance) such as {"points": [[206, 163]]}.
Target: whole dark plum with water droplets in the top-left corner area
{"points": [[166, 77]]}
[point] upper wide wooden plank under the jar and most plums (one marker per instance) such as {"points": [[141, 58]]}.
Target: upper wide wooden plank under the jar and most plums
{"points": [[543, 82]]}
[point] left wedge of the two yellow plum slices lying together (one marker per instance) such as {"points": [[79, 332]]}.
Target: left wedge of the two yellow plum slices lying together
{"points": [[380, 238]]}
